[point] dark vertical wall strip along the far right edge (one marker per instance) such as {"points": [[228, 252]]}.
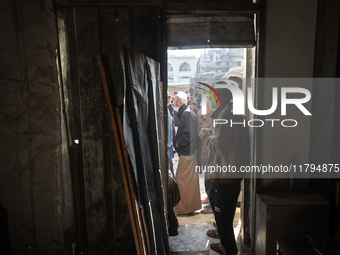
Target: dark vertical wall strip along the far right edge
{"points": [[325, 142]]}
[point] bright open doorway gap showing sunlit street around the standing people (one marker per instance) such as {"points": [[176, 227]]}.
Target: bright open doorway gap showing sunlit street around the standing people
{"points": [[185, 67]]}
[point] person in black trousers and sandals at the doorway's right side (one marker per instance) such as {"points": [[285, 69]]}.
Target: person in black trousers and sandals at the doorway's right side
{"points": [[228, 146]]}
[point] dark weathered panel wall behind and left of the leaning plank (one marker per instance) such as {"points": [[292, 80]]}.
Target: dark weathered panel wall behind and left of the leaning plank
{"points": [[102, 217]]}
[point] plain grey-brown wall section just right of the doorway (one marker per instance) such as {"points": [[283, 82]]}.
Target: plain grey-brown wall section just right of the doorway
{"points": [[286, 51]]}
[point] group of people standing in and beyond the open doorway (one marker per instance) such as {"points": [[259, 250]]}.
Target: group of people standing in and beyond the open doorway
{"points": [[192, 136]]}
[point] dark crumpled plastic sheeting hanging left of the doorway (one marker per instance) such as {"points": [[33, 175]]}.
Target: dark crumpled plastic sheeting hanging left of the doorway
{"points": [[142, 115]]}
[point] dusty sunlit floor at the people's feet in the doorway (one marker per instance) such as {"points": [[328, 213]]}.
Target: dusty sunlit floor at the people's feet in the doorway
{"points": [[192, 238]]}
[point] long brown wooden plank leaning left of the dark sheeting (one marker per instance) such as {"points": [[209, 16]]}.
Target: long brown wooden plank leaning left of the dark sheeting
{"points": [[117, 127]]}
